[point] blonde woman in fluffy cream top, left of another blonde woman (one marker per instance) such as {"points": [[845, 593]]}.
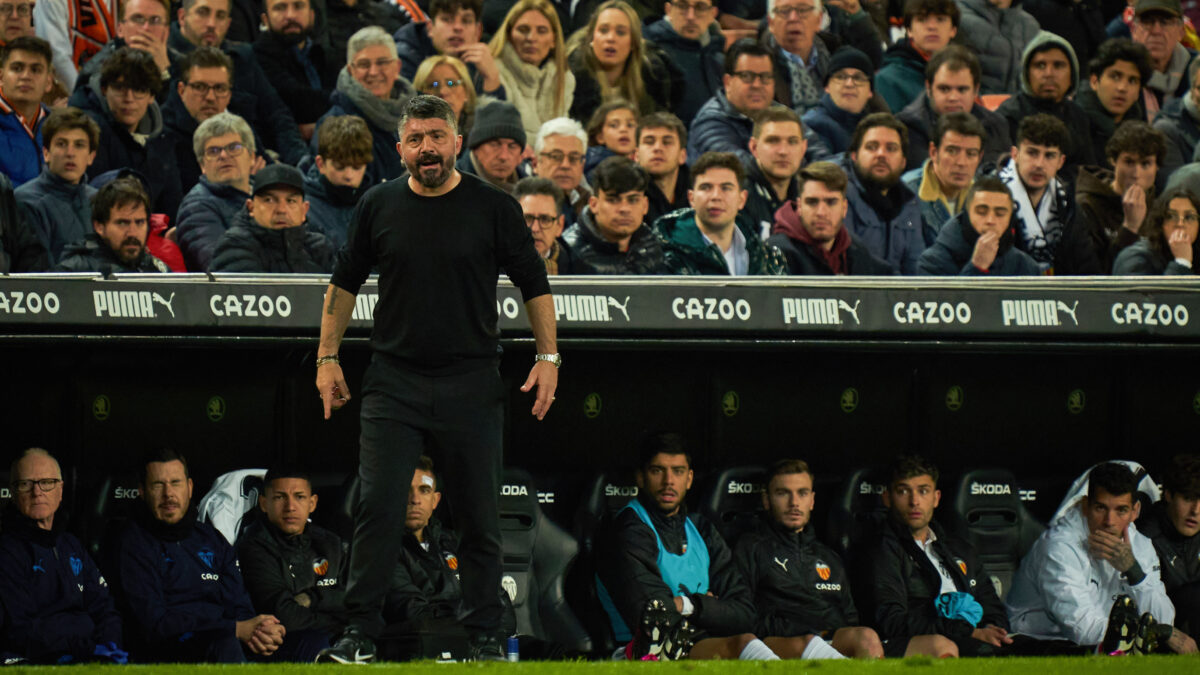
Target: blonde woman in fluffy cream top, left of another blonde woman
{"points": [[531, 56]]}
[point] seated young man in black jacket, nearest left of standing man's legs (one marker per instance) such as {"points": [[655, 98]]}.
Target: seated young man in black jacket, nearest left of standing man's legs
{"points": [[293, 568]]}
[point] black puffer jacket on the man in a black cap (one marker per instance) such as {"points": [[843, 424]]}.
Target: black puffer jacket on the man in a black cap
{"points": [[249, 247]]}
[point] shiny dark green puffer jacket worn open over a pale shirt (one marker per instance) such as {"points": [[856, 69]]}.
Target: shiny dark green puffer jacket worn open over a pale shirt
{"points": [[686, 250]]}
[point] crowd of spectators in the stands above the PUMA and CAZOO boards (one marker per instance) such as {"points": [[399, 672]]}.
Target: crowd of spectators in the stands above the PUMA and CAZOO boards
{"points": [[875, 138]]}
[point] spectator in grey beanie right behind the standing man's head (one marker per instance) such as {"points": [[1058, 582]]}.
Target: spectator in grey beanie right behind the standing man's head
{"points": [[497, 142]]}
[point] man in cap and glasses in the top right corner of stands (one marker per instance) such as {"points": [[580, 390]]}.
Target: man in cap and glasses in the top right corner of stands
{"points": [[1159, 25]]}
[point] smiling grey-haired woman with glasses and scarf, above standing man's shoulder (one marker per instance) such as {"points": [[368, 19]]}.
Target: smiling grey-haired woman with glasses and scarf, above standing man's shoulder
{"points": [[371, 88]]}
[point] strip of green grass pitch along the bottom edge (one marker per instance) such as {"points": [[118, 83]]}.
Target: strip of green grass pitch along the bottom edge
{"points": [[1099, 666]]}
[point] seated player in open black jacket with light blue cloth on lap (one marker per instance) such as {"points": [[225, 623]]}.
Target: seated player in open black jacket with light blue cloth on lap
{"points": [[931, 594]]}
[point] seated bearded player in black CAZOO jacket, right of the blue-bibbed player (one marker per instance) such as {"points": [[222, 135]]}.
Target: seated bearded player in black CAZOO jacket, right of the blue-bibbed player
{"points": [[800, 586]]}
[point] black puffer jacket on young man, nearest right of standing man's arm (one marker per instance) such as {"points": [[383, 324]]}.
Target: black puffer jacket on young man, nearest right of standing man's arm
{"points": [[592, 254]]}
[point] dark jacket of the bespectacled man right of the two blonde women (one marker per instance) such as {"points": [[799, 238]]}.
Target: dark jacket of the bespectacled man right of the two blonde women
{"points": [[704, 64]]}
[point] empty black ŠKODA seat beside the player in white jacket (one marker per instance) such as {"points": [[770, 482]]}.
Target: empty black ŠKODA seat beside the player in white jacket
{"points": [[986, 506]]}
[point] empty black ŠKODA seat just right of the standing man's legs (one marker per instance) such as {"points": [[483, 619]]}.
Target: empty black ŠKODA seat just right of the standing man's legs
{"points": [[538, 555]]}
